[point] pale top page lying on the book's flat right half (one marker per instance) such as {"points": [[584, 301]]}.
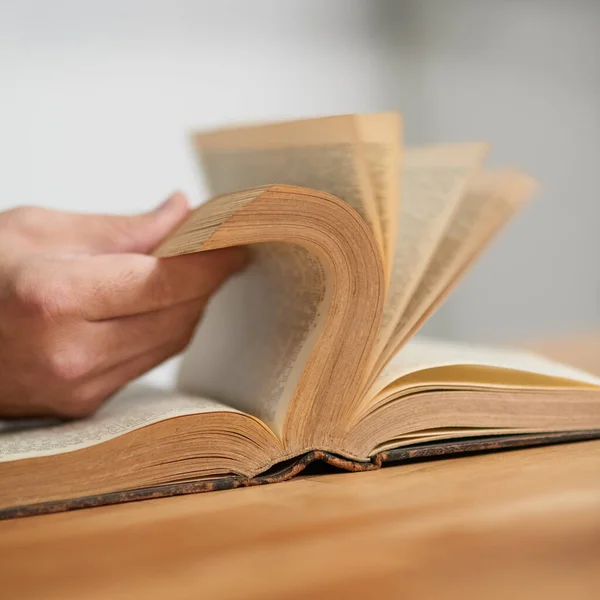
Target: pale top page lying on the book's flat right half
{"points": [[421, 354]]}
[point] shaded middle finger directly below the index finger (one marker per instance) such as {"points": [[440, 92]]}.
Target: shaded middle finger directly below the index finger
{"points": [[119, 340]]}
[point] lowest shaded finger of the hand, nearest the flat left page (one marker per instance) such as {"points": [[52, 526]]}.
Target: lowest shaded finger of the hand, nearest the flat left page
{"points": [[90, 394]]}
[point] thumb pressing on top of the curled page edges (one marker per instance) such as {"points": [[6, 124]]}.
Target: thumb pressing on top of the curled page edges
{"points": [[141, 233]]}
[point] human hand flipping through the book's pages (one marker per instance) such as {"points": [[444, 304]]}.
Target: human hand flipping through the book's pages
{"points": [[84, 309]]}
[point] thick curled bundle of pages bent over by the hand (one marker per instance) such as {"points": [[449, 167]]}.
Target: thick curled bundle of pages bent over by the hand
{"points": [[316, 275]]}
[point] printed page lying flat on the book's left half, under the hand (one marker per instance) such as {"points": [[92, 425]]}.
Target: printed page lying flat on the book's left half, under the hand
{"points": [[134, 407]]}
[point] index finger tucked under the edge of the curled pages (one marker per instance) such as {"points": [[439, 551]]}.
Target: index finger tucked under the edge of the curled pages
{"points": [[118, 285]]}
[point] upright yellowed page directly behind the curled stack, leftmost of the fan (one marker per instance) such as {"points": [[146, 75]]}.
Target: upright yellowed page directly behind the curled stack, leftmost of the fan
{"points": [[324, 154]]}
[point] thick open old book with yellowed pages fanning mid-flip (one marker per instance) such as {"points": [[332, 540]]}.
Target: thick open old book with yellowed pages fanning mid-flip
{"points": [[306, 355]]}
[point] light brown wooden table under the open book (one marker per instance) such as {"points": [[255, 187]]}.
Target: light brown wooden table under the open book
{"points": [[521, 524]]}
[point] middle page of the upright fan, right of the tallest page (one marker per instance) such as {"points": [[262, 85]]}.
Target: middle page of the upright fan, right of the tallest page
{"points": [[433, 182]]}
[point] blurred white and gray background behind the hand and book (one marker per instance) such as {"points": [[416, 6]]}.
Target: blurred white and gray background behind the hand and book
{"points": [[97, 99]]}
